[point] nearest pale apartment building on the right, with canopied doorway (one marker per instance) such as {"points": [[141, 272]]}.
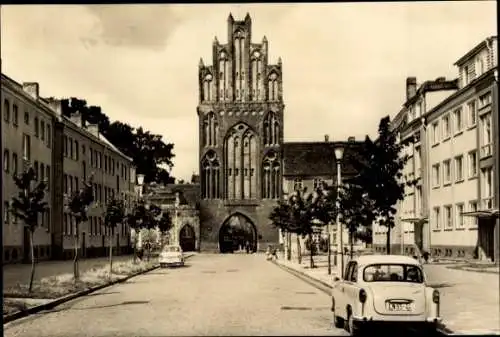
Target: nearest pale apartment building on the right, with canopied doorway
{"points": [[459, 166]]}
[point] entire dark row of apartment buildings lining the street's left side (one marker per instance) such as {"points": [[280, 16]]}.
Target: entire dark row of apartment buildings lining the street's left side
{"points": [[64, 152]]}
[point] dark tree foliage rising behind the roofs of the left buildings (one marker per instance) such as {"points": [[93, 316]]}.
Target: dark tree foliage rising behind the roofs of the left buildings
{"points": [[151, 155]]}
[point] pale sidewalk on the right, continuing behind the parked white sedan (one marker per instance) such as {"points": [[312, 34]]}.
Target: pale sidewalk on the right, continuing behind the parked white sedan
{"points": [[470, 300]]}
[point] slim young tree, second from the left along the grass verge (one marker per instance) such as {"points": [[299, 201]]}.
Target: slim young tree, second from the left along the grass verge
{"points": [[78, 205]]}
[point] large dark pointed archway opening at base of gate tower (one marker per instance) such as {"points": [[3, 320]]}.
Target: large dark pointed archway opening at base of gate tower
{"points": [[235, 232]]}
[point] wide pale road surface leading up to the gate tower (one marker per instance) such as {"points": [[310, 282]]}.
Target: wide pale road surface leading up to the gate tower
{"points": [[217, 295]]}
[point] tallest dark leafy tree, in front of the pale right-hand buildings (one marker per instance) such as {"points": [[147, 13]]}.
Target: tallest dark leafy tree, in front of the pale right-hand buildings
{"points": [[382, 174]]}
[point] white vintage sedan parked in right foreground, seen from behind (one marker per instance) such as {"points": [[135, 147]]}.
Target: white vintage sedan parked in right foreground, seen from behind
{"points": [[388, 289]]}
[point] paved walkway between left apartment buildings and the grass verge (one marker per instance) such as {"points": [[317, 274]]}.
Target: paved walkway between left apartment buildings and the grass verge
{"points": [[20, 273]]}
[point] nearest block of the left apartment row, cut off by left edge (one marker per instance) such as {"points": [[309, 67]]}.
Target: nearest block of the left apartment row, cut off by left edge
{"points": [[27, 139]]}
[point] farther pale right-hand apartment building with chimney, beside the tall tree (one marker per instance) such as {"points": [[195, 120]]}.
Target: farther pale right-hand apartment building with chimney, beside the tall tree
{"points": [[411, 223]]}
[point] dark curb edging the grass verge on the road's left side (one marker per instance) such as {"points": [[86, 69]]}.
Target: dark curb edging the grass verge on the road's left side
{"points": [[66, 298]]}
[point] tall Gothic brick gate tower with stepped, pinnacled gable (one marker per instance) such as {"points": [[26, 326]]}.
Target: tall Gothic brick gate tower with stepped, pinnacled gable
{"points": [[240, 114]]}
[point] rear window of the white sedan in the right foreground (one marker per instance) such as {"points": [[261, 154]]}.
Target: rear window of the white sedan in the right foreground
{"points": [[393, 273]]}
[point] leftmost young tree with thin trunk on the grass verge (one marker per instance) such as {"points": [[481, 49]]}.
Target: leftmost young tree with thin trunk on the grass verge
{"points": [[28, 206]]}
